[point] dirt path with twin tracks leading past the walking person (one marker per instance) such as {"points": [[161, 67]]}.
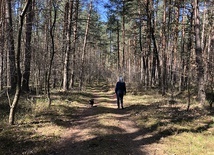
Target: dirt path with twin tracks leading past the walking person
{"points": [[104, 129]]}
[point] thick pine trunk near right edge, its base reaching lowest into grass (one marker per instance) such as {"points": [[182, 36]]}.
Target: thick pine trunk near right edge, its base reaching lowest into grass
{"points": [[199, 56]]}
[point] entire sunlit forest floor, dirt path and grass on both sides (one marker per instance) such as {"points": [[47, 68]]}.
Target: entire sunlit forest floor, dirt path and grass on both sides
{"points": [[149, 124]]}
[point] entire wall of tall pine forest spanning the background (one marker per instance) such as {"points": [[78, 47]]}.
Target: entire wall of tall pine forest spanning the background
{"points": [[159, 43]]}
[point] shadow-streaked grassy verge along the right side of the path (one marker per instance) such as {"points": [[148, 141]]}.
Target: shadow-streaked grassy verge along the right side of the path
{"points": [[179, 132]]}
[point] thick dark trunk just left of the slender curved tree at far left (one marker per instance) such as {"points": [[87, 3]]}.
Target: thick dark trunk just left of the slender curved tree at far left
{"points": [[11, 45]]}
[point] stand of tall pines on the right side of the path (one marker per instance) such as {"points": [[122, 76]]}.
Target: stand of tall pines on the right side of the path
{"points": [[168, 44]]}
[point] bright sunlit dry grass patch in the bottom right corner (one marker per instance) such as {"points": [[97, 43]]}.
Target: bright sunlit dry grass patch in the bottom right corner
{"points": [[189, 143]]}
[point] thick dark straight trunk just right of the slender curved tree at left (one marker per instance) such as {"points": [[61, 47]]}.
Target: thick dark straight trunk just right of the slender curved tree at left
{"points": [[28, 51]]}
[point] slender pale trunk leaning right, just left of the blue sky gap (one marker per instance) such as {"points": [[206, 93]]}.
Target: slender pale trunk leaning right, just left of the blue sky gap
{"points": [[84, 47]]}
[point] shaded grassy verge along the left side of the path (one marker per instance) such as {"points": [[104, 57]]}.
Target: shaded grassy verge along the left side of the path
{"points": [[37, 126]]}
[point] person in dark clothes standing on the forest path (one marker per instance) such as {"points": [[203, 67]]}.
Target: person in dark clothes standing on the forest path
{"points": [[120, 91]]}
